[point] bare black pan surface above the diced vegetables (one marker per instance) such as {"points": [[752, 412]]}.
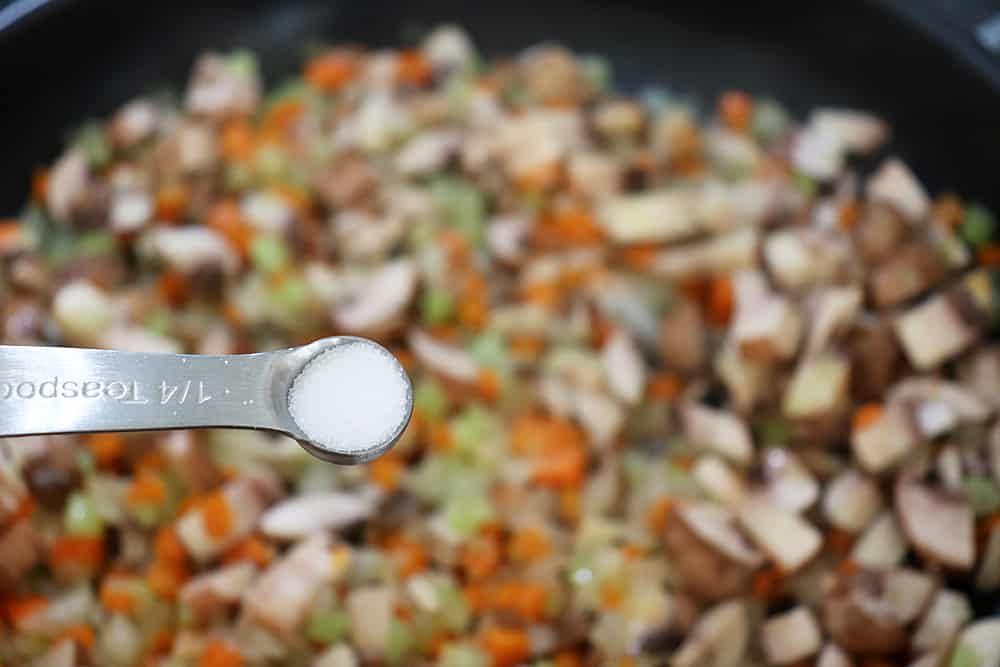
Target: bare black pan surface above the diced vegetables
{"points": [[71, 60]]}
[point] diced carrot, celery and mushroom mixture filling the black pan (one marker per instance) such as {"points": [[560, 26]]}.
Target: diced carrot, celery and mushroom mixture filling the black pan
{"points": [[693, 388]]}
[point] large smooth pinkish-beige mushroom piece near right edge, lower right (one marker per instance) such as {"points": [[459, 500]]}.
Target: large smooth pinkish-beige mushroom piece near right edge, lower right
{"points": [[939, 524]]}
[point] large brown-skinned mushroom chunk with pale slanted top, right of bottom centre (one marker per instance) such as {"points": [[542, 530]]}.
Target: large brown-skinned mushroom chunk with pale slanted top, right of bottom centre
{"points": [[712, 557]]}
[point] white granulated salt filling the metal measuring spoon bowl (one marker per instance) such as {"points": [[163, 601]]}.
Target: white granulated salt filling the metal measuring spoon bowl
{"points": [[351, 398]]}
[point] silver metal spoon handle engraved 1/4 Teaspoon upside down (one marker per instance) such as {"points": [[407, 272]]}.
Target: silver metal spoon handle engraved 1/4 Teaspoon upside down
{"points": [[67, 390]]}
